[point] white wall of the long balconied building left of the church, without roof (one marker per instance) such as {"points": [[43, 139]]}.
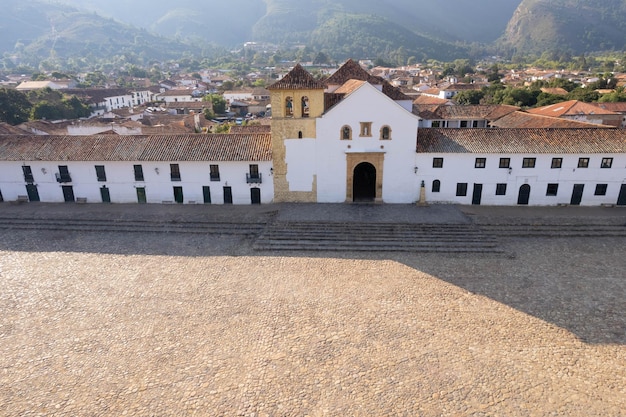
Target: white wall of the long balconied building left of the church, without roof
{"points": [[122, 186]]}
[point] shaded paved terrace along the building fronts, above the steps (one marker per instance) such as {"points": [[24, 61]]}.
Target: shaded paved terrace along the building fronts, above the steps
{"points": [[343, 213]]}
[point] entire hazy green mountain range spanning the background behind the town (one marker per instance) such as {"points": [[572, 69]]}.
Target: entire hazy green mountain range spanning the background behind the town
{"points": [[142, 31]]}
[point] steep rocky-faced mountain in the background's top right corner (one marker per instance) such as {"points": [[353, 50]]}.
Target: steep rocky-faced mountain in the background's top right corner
{"points": [[567, 25]]}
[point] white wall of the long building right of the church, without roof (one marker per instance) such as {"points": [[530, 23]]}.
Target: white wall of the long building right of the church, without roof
{"points": [[459, 168]]}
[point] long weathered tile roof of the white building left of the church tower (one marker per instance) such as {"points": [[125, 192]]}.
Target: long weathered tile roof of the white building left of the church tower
{"points": [[219, 147]]}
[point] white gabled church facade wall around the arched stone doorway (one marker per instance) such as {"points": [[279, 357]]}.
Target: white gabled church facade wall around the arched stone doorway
{"points": [[326, 158]]}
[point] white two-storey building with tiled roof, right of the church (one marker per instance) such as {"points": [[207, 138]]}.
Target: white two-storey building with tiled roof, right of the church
{"points": [[544, 167]]}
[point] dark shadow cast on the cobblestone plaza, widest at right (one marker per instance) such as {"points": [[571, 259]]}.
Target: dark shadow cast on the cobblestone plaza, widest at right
{"points": [[576, 284]]}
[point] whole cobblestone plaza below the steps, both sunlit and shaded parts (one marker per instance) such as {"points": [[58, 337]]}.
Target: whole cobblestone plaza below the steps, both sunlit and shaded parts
{"points": [[119, 324]]}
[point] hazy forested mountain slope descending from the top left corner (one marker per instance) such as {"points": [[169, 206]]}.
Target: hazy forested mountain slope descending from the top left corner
{"points": [[32, 32]]}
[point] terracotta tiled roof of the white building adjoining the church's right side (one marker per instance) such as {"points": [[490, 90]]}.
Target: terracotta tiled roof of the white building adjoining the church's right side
{"points": [[521, 141]]}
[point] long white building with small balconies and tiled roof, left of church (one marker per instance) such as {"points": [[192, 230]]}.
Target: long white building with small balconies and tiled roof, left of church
{"points": [[219, 169]]}
